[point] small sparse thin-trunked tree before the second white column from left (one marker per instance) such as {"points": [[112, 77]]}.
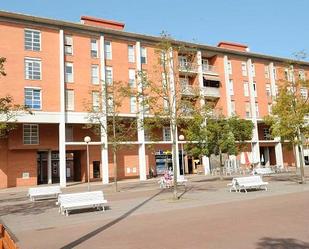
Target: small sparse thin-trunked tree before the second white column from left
{"points": [[103, 115]]}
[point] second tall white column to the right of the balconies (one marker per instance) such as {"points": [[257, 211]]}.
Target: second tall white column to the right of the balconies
{"points": [[255, 138]]}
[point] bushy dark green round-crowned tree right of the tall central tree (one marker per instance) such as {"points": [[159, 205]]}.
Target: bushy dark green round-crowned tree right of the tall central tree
{"points": [[215, 134]]}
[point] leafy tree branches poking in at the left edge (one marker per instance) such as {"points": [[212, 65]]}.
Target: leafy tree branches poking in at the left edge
{"points": [[8, 110]]}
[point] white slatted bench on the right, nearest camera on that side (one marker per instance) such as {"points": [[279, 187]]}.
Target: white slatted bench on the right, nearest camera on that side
{"points": [[248, 182]]}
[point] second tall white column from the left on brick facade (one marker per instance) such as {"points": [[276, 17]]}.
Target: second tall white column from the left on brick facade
{"points": [[104, 141]]}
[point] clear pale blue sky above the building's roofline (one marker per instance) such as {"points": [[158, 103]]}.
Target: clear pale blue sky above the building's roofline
{"points": [[273, 27]]}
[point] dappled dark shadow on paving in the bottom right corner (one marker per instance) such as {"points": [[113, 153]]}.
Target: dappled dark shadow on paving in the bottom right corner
{"points": [[280, 243]]}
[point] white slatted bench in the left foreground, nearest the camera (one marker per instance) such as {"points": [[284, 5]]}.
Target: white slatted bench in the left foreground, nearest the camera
{"points": [[92, 199]]}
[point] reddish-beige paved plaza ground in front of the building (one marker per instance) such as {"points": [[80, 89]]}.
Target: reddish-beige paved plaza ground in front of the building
{"points": [[141, 215]]}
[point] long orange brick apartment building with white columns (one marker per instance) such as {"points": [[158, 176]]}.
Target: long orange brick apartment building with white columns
{"points": [[57, 67]]}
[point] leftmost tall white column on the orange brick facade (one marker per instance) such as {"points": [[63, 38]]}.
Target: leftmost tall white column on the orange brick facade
{"points": [[62, 156]]}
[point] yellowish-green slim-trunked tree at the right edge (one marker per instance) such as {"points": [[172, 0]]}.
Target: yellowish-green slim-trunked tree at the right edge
{"points": [[289, 116]]}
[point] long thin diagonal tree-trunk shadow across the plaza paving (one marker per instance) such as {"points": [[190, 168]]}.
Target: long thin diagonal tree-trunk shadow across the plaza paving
{"points": [[108, 225]]}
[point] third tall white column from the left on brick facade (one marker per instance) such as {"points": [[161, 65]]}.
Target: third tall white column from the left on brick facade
{"points": [[140, 118]]}
